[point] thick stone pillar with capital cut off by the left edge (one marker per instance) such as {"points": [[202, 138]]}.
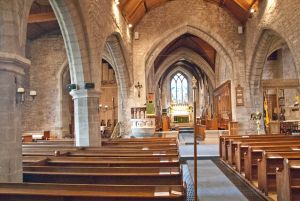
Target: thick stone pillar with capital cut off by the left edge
{"points": [[11, 77]]}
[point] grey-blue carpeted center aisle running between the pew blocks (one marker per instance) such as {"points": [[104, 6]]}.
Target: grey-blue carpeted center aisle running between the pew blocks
{"points": [[216, 182]]}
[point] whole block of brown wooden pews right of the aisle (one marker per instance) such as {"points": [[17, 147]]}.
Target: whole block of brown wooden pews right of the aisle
{"points": [[269, 162]]}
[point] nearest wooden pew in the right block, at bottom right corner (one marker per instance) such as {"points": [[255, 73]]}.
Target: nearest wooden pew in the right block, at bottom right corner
{"points": [[288, 181]]}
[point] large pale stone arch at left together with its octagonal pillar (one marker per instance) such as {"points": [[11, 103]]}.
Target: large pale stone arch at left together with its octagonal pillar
{"points": [[85, 100]]}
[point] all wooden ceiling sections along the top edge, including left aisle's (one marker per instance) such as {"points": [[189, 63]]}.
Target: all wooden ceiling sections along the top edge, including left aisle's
{"points": [[42, 19]]}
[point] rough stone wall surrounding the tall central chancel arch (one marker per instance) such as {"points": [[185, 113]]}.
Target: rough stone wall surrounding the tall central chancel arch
{"points": [[162, 25]]}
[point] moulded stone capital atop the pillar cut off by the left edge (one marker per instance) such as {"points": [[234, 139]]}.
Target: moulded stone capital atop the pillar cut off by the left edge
{"points": [[13, 63]]}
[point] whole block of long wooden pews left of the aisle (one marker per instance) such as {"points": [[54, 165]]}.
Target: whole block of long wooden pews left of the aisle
{"points": [[123, 169]]}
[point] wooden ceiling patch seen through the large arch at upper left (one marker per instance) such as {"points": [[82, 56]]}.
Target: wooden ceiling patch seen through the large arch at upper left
{"points": [[41, 20]]}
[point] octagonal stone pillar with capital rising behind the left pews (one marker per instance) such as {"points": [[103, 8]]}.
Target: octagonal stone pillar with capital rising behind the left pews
{"points": [[86, 117]]}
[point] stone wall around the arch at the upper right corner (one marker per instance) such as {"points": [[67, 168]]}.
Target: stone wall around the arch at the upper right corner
{"points": [[280, 18]]}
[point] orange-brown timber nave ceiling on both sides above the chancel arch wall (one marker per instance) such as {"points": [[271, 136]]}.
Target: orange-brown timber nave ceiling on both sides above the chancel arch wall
{"points": [[134, 10]]}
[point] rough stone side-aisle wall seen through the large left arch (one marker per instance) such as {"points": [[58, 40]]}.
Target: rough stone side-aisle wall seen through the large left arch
{"points": [[48, 54]]}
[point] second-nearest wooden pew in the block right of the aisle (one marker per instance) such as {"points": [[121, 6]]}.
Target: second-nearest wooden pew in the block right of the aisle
{"points": [[267, 169]]}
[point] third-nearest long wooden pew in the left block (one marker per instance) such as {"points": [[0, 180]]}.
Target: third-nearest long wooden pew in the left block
{"points": [[103, 161]]}
